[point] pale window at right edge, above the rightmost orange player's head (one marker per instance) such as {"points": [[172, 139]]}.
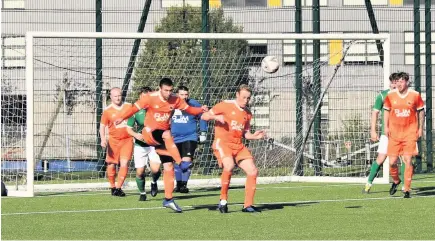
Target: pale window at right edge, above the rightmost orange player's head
{"points": [[409, 48]]}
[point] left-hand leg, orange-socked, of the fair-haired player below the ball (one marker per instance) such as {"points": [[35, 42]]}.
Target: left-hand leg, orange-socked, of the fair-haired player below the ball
{"points": [[227, 171]]}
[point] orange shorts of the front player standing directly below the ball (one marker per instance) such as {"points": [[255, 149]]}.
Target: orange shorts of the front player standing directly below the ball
{"points": [[236, 151]]}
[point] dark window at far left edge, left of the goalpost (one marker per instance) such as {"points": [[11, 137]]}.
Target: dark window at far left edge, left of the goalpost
{"points": [[13, 110]]}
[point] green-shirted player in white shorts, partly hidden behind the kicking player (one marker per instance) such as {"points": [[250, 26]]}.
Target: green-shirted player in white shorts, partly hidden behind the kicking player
{"points": [[143, 152]]}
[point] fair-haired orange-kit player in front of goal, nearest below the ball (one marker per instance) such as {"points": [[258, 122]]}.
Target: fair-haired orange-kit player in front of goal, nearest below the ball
{"points": [[232, 124]]}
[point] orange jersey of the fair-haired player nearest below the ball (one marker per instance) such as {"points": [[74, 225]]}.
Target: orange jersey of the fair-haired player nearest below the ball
{"points": [[237, 121]]}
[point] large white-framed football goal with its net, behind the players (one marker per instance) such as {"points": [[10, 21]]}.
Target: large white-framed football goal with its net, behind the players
{"points": [[316, 116]]}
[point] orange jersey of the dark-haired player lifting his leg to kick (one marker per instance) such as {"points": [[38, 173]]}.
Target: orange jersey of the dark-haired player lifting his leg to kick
{"points": [[159, 111]]}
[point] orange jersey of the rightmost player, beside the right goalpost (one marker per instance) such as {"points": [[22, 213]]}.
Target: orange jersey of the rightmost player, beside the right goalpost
{"points": [[403, 120]]}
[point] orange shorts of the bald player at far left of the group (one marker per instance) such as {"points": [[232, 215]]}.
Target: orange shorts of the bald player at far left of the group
{"points": [[119, 150]]}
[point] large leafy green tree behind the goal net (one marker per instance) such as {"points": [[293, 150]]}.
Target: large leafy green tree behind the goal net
{"points": [[182, 60]]}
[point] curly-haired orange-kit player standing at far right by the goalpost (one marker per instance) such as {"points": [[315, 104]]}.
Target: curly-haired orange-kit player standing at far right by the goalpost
{"points": [[404, 121]]}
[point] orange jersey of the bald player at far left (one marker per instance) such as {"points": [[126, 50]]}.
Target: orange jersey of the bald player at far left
{"points": [[117, 132]]}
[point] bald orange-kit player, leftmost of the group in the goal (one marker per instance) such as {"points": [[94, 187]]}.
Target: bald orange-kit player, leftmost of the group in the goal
{"points": [[120, 143]]}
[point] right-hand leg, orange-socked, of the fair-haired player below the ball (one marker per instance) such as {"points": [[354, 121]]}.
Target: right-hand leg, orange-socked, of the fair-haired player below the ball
{"points": [[248, 166]]}
